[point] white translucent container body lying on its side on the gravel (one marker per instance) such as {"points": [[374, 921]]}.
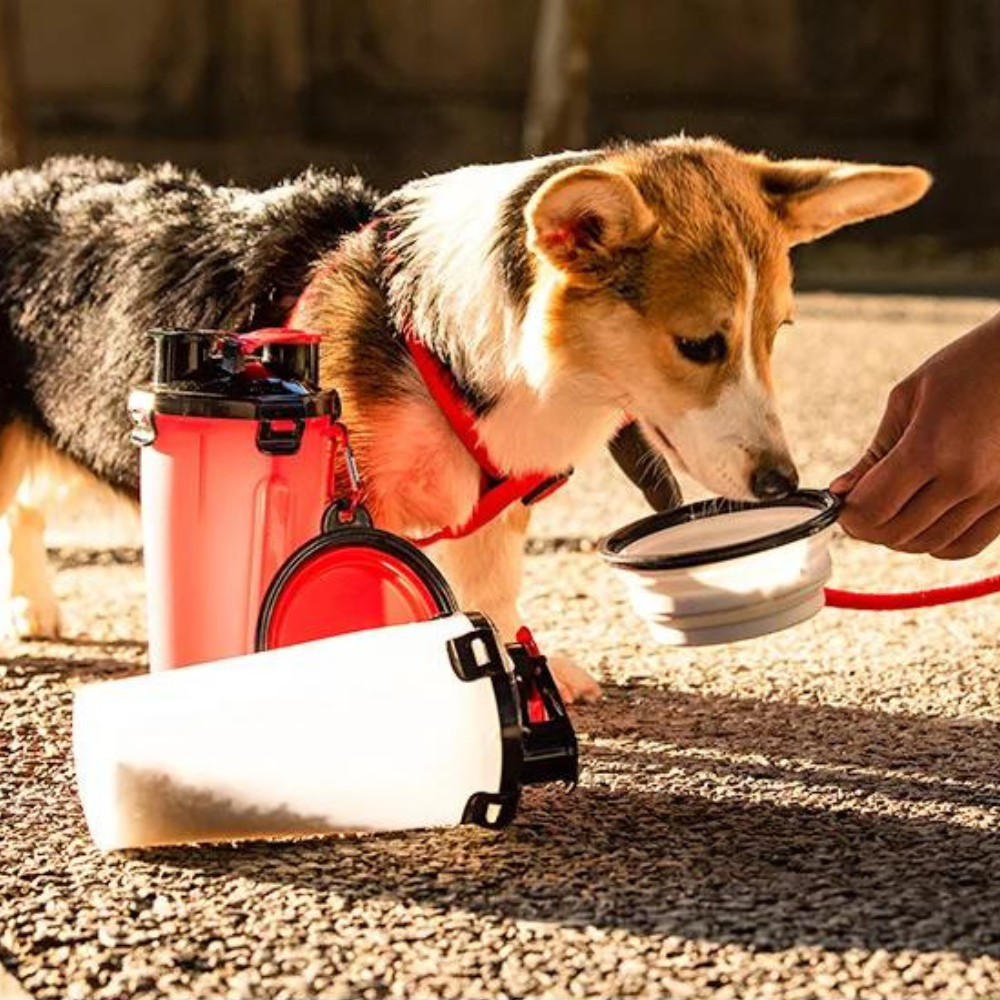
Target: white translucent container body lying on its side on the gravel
{"points": [[375, 730]]}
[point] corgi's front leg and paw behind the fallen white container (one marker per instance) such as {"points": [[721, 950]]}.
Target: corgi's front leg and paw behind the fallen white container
{"points": [[485, 570]]}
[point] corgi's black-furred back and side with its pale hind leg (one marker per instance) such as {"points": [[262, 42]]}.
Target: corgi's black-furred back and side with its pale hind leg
{"points": [[93, 254]]}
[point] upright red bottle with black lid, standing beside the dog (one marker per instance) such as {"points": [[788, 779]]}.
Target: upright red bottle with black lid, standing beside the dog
{"points": [[237, 464]]}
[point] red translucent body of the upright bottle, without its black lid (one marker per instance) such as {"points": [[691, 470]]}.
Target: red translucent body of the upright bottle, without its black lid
{"points": [[218, 519]]}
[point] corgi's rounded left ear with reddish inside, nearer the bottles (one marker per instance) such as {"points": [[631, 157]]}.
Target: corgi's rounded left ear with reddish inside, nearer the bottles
{"points": [[582, 216]]}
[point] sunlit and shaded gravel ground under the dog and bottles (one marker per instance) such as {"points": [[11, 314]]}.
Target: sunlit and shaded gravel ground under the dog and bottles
{"points": [[812, 814]]}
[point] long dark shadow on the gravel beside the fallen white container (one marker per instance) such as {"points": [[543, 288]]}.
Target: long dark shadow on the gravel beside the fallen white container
{"points": [[765, 824]]}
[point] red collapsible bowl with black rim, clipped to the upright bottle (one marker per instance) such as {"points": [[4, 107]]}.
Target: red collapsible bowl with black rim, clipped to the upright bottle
{"points": [[350, 579]]}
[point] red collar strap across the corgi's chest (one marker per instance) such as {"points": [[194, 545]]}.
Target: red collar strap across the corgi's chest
{"points": [[496, 491]]}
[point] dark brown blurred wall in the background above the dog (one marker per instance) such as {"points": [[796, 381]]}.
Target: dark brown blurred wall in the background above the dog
{"points": [[254, 89]]}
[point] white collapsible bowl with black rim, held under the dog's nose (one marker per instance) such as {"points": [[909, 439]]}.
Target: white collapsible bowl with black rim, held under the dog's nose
{"points": [[719, 571]]}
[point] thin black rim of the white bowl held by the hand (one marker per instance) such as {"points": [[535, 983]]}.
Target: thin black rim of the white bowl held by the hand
{"points": [[827, 505]]}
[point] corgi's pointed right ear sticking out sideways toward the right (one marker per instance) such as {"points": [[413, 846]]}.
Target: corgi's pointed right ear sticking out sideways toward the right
{"points": [[815, 197]]}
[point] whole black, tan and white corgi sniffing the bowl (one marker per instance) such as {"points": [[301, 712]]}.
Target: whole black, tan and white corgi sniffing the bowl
{"points": [[560, 295]]}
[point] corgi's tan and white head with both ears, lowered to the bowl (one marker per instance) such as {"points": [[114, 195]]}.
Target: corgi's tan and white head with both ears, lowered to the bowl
{"points": [[663, 271]]}
